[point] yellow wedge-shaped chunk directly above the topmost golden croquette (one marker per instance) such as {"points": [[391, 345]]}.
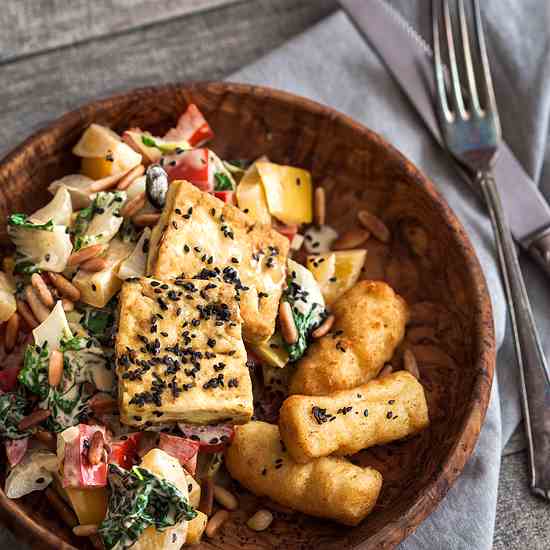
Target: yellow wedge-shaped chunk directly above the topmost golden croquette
{"points": [[337, 272]]}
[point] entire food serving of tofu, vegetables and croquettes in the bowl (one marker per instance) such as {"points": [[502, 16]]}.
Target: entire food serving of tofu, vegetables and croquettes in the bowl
{"points": [[173, 321]]}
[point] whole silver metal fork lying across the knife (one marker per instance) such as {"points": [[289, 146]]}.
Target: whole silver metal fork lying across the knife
{"points": [[470, 126]]}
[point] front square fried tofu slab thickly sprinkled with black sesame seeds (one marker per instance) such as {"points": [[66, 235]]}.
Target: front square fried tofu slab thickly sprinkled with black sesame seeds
{"points": [[180, 354]]}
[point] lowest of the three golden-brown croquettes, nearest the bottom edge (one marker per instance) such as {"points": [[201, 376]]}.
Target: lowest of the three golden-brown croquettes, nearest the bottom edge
{"points": [[326, 487]]}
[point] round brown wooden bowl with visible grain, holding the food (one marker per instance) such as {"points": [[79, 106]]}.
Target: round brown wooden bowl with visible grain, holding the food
{"points": [[430, 261]]}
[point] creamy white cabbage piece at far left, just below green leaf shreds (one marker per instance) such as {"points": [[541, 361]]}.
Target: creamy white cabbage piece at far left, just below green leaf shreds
{"points": [[41, 248]]}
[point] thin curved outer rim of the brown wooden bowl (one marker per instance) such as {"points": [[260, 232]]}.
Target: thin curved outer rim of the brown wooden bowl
{"points": [[483, 344]]}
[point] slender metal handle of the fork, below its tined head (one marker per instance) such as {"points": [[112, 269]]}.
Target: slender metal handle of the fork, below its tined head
{"points": [[534, 374]]}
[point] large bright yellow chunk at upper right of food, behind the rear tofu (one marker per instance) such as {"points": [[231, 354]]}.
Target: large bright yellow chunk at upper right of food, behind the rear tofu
{"points": [[288, 191]]}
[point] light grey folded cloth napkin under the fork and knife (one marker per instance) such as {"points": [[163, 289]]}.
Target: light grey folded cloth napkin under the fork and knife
{"points": [[332, 64]]}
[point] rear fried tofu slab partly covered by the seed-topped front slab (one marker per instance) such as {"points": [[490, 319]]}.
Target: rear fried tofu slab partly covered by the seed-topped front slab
{"points": [[198, 234]]}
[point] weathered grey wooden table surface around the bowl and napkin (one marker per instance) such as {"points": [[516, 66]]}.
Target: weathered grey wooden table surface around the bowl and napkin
{"points": [[57, 54]]}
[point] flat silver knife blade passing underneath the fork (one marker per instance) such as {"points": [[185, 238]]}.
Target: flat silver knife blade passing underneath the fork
{"points": [[408, 58]]}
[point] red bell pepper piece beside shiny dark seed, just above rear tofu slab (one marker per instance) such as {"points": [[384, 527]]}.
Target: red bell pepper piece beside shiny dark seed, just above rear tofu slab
{"points": [[193, 166]]}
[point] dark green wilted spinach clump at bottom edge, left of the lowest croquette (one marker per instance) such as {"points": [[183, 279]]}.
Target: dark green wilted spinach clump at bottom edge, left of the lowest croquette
{"points": [[138, 500]]}
